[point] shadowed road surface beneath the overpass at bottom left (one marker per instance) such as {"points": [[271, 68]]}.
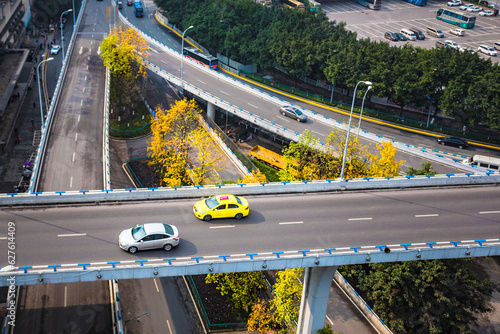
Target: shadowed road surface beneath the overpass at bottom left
{"points": [[78, 307]]}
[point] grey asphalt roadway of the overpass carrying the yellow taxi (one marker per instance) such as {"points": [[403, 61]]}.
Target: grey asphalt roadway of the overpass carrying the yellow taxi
{"points": [[275, 223]]}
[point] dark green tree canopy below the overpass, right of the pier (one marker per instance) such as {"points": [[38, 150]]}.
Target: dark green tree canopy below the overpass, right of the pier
{"points": [[437, 296]]}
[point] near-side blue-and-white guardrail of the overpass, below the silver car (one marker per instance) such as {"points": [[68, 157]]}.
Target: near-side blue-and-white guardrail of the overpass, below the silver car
{"points": [[195, 265]]}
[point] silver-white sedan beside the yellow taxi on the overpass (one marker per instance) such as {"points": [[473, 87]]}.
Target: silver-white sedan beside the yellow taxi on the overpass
{"points": [[149, 236]]}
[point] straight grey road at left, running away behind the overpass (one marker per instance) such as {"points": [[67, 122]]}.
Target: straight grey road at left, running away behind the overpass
{"points": [[75, 163]]}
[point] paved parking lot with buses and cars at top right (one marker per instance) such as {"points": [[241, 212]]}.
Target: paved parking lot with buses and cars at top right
{"points": [[398, 14]]}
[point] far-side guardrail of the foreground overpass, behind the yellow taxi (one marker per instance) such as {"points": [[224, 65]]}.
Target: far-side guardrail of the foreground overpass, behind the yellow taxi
{"points": [[286, 187]]}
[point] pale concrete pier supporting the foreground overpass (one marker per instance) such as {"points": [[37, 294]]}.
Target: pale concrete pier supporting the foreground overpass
{"points": [[317, 282]]}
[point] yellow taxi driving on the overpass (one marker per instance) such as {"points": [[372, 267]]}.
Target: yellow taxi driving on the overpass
{"points": [[221, 206]]}
